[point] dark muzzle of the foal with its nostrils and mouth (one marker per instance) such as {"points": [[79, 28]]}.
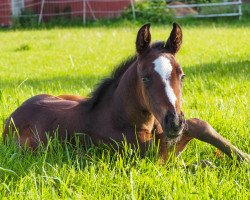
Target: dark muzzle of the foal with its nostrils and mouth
{"points": [[173, 124]]}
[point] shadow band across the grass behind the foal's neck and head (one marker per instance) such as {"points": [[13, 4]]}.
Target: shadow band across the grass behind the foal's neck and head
{"points": [[236, 70]]}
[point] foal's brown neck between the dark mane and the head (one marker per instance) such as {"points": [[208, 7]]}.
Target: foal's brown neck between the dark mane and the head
{"points": [[128, 102]]}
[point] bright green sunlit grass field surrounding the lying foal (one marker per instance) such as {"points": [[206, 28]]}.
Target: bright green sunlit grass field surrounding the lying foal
{"points": [[216, 60]]}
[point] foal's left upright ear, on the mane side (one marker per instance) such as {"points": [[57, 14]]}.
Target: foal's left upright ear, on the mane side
{"points": [[143, 38]]}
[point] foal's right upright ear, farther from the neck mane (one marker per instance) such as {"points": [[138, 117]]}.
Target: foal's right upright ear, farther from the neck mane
{"points": [[175, 39]]}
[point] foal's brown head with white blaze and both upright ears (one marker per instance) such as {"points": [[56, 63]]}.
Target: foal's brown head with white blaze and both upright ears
{"points": [[160, 78]]}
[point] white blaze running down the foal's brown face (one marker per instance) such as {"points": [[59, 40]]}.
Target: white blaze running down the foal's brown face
{"points": [[164, 68]]}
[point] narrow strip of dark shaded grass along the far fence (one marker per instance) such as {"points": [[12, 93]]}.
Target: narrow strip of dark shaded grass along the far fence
{"points": [[121, 23]]}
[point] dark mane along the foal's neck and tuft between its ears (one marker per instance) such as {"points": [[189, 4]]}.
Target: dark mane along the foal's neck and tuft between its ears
{"points": [[114, 79]]}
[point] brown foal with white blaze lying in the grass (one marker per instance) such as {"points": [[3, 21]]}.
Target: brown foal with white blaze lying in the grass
{"points": [[140, 102]]}
